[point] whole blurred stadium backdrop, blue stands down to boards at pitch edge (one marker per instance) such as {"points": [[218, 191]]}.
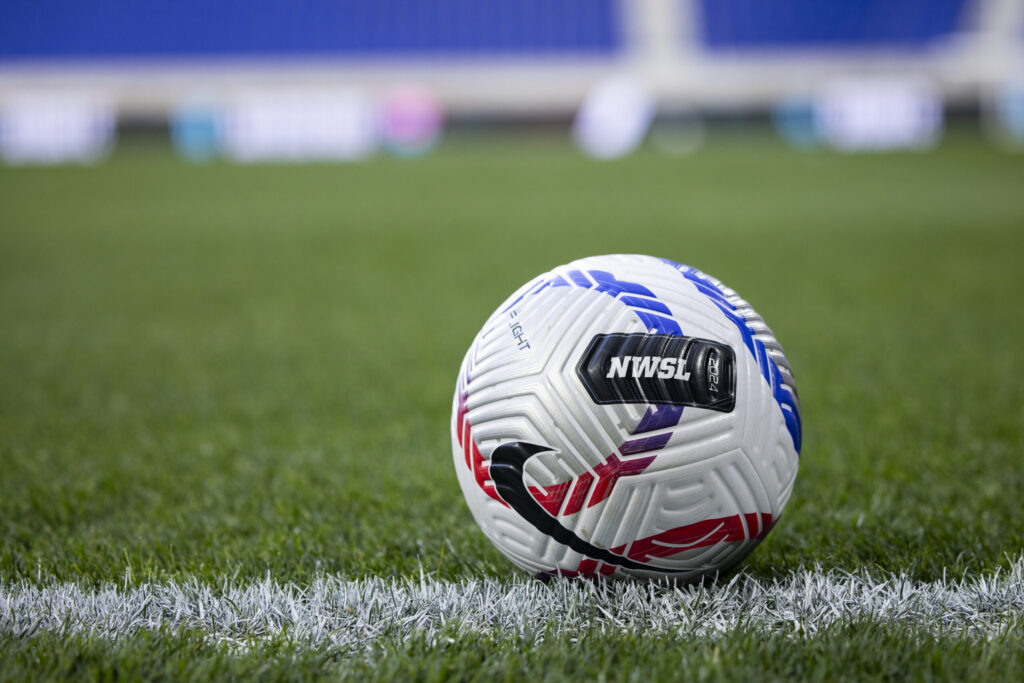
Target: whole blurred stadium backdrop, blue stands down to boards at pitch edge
{"points": [[270, 79]]}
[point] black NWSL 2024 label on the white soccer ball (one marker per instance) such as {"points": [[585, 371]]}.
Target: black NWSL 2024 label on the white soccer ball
{"points": [[660, 369]]}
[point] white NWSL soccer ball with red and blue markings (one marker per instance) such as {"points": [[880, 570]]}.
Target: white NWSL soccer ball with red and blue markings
{"points": [[626, 416]]}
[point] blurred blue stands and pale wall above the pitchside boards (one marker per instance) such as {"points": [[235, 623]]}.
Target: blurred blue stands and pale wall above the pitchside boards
{"points": [[498, 58]]}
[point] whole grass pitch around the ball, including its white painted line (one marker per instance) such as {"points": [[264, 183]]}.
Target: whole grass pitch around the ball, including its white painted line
{"points": [[226, 393]]}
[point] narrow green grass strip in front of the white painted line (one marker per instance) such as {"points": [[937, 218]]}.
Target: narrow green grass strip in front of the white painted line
{"points": [[851, 653]]}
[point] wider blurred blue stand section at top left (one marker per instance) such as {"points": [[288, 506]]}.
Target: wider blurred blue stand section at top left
{"points": [[105, 29]]}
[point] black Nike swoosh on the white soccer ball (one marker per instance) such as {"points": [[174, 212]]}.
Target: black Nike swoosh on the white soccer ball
{"points": [[507, 463]]}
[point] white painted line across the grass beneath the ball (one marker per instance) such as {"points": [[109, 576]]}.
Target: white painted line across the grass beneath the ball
{"points": [[361, 615]]}
